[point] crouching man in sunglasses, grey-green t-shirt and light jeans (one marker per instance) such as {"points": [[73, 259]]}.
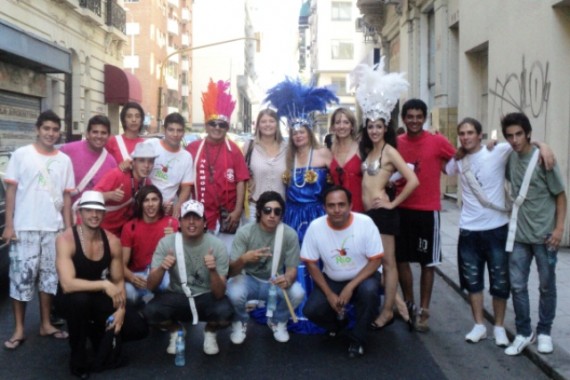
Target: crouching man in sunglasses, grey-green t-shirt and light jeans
{"points": [[251, 263]]}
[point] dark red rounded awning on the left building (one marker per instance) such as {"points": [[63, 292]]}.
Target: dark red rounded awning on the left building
{"points": [[121, 87]]}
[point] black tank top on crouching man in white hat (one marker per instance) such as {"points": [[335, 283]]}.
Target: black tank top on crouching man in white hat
{"points": [[88, 269]]}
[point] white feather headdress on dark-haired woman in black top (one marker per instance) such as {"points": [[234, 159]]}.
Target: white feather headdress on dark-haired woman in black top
{"points": [[377, 92]]}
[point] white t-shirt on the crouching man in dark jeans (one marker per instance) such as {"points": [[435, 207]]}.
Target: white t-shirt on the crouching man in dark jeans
{"points": [[344, 252]]}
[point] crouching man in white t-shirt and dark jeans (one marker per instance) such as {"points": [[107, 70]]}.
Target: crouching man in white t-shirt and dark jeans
{"points": [[349, 246]]}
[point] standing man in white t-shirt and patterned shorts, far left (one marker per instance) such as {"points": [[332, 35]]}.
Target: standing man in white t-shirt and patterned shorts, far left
{"points": [[39, 179]]}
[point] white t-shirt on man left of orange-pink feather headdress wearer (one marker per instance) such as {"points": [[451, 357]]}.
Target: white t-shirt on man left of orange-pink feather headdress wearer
{"points": [[171, 169]]}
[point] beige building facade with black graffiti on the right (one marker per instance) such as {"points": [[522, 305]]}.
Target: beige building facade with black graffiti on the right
{"points": [[483, 58]]}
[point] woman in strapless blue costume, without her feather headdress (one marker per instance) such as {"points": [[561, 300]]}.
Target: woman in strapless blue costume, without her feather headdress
{"points": [[306, 179]]}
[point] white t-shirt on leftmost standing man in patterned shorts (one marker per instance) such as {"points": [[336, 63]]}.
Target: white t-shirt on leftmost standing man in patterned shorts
{"points": [[34, 209]]}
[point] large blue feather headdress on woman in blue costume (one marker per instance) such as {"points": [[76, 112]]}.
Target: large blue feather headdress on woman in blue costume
{"points": [[296, 101]]}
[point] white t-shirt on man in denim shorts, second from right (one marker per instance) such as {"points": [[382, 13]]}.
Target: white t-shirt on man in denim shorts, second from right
{"points": [[488, 167]]}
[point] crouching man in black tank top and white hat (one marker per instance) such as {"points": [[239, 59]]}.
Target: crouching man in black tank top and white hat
{"points": [[91, 293]]}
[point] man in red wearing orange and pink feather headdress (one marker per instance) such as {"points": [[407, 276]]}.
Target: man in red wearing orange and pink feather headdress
{"points": [[220, 170]]}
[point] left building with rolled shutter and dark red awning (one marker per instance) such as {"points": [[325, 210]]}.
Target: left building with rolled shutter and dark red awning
{"points": [[63, 55]]}
